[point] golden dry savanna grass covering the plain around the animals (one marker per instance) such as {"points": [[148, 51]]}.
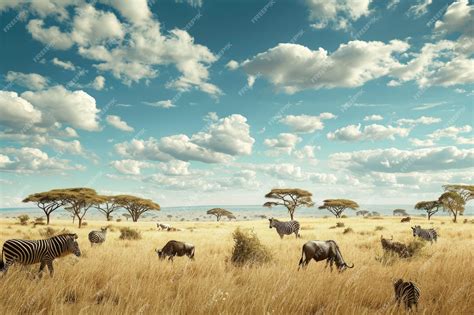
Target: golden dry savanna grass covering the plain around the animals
{"points": [[126, 277]]}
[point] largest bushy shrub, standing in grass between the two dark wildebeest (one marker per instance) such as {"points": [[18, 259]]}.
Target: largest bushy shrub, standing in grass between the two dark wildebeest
{"points": [[248, 250]]}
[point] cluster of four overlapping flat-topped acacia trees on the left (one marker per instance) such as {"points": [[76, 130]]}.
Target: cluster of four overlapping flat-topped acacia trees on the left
{"points": [[78, 201]]}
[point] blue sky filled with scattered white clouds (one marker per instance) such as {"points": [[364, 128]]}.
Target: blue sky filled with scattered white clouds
{"points": [[200, 102]]}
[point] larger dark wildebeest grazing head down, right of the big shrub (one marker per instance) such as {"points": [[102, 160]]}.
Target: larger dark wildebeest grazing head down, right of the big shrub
{"points": [[323, 250]]}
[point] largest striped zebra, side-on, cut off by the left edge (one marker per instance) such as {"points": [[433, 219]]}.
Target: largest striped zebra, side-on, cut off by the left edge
{"points": [[28, 252]]}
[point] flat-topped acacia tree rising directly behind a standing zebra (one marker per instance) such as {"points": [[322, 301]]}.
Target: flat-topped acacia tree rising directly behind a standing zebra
{"points": [[291, 198]]}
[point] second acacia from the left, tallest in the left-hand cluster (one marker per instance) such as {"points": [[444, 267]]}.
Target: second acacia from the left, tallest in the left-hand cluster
{"points": [[79, 201]]}
